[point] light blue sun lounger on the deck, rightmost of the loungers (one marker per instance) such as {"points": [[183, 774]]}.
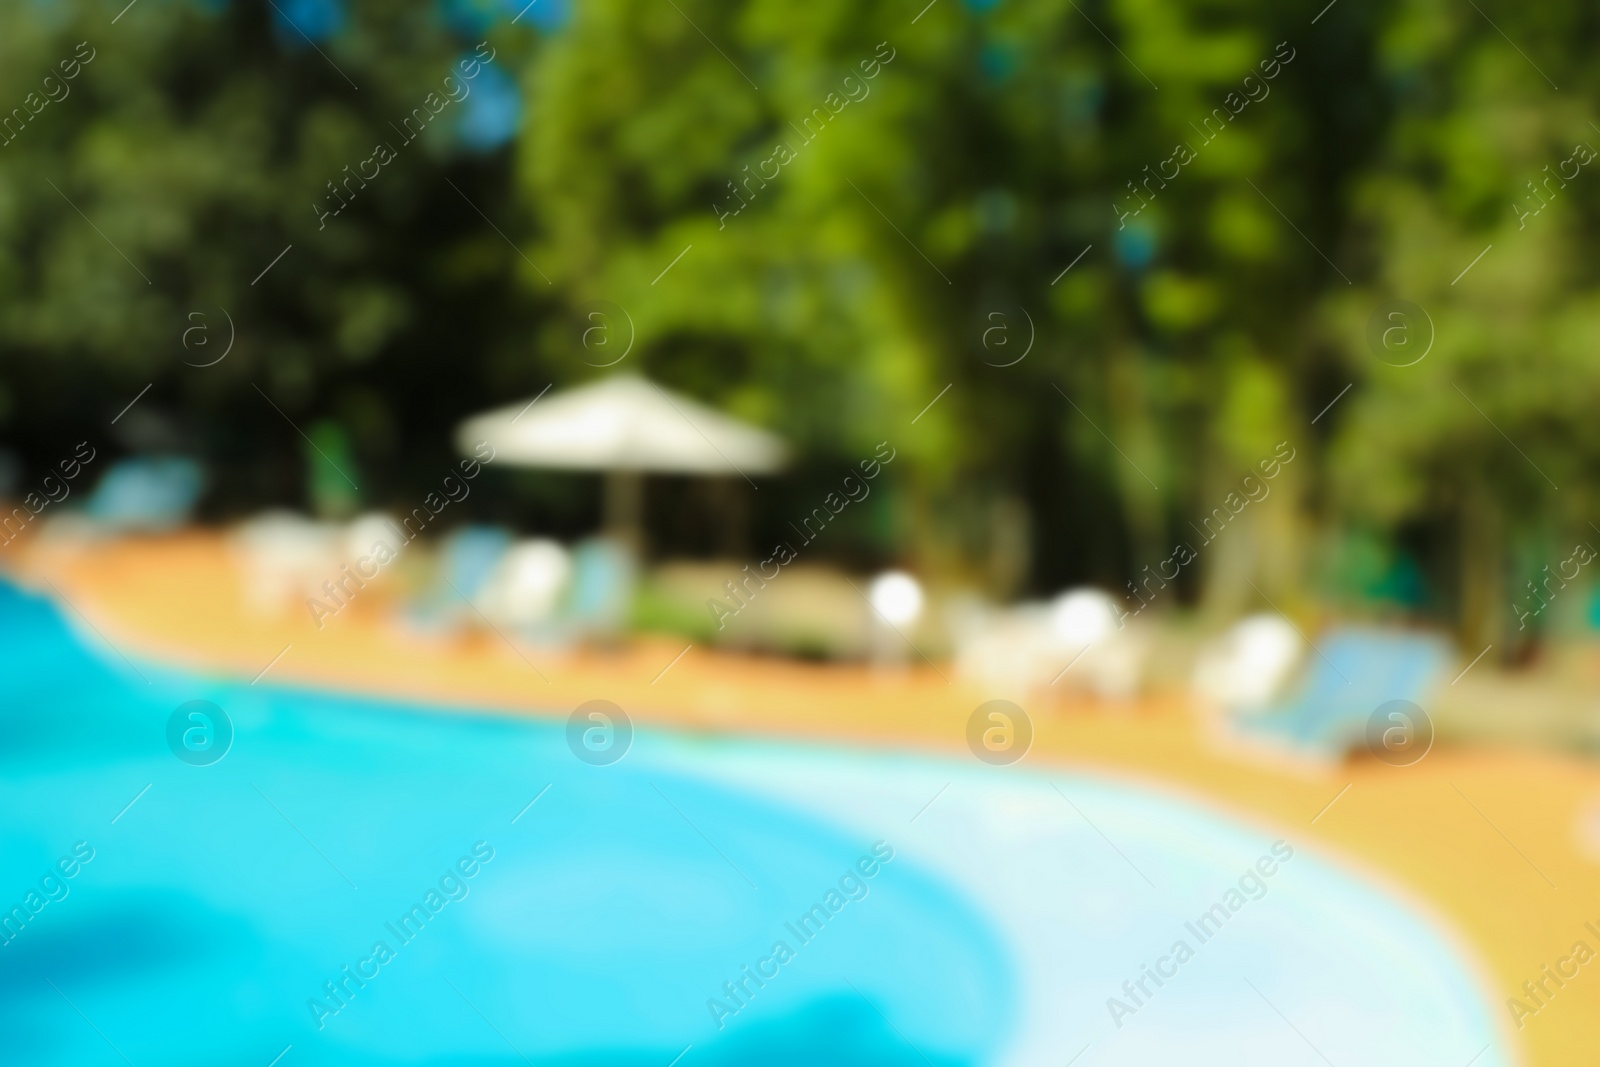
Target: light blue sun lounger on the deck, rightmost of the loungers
{"points": [[1350, 674]]}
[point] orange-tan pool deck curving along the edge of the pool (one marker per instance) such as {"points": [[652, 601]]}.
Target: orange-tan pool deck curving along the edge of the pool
{"points": [[1489, 837]]}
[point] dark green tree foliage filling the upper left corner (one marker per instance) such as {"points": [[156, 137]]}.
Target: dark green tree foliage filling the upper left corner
{"points": [[198, 146]]}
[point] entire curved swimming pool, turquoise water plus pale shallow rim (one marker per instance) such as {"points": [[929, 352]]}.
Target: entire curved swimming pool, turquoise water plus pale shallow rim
{"points": [[537, 909]]}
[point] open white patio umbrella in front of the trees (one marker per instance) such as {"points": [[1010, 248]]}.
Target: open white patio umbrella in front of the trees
{"points": [[623, 426]]}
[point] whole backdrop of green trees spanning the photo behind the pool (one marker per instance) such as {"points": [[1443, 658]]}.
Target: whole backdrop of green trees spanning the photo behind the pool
{"points": [[1214, 313]]}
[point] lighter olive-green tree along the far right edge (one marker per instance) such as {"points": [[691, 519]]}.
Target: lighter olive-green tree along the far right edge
{"points": [[1482, 214]]}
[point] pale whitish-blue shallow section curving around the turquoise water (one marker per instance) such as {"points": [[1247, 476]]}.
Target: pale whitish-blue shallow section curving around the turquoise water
{"points": [[1090, 879]]}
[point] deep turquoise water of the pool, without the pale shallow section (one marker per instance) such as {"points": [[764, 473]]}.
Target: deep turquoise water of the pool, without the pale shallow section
{"points": [[222, 901]]}
